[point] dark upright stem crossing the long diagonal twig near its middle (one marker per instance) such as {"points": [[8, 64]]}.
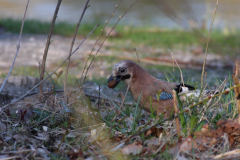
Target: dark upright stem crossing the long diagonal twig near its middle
{"points": [[70, 51]]}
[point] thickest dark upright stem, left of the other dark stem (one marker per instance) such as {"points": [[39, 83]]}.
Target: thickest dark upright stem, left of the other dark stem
{"points": [[46, 49]]}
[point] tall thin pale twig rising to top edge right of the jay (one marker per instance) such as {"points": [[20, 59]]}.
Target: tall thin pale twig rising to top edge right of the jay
{"points": [[206, 50]]}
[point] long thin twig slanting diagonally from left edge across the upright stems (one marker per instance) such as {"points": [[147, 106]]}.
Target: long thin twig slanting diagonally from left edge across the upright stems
{"points": [[53, 71]]}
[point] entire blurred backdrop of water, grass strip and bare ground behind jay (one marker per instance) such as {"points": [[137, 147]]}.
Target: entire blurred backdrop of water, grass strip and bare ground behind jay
{"points": [[153, 27]]}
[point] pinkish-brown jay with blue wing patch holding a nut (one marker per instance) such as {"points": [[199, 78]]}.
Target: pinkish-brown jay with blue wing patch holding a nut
{"points": [[156, 94]]}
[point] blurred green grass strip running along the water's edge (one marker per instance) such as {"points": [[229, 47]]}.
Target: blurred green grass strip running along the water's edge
{"points": [[149, 35]]}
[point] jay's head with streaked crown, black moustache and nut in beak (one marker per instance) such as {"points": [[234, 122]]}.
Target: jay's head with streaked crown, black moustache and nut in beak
{"points": [[122, 71]]}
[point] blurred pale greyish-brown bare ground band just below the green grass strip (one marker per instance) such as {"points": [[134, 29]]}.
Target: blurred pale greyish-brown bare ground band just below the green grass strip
{"points": [[32, 48]]}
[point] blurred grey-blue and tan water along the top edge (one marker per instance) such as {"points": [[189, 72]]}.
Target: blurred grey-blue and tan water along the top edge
{"points": [[161, 13]]}
